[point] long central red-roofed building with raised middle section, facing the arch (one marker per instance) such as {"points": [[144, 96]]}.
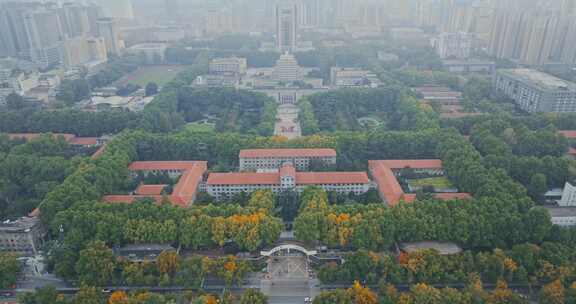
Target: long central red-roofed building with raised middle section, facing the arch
{"points": [[222, 185]]}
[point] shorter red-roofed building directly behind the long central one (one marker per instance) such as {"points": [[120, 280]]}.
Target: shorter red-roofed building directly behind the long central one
{"points": [[263, 159]]}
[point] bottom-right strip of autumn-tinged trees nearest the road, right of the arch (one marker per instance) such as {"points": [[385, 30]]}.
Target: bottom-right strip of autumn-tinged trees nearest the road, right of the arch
{"points": [[523, 264]]}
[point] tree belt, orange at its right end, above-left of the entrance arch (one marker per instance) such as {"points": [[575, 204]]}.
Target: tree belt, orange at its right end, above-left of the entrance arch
{"points": [[196, 228]]}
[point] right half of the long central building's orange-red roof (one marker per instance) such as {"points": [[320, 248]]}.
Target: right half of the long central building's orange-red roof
{"points": [[322, 178]]}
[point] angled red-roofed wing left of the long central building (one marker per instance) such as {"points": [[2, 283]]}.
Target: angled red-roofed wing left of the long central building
{"points": [[190, 174]]}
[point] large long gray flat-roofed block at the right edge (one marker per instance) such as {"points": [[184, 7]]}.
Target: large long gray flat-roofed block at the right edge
{"points": [[535, 91]]}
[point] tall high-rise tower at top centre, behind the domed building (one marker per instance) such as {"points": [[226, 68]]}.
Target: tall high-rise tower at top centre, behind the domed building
{"points": [[286, 26]]}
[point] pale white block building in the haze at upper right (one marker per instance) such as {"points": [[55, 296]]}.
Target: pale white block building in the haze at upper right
{"points": [[454, 45]]}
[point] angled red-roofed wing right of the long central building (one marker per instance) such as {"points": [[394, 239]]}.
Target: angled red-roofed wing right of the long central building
{"points": [[387, 182]]}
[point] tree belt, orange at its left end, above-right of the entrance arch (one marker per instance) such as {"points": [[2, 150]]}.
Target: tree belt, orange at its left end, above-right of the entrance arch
{"points": [[484, 222]]}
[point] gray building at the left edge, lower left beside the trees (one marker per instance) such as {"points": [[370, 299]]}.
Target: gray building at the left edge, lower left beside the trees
{"points": [[23, 236]]}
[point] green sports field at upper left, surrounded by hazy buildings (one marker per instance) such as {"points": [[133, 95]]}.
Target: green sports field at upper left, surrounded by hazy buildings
{"points": [[160, 74]]}
